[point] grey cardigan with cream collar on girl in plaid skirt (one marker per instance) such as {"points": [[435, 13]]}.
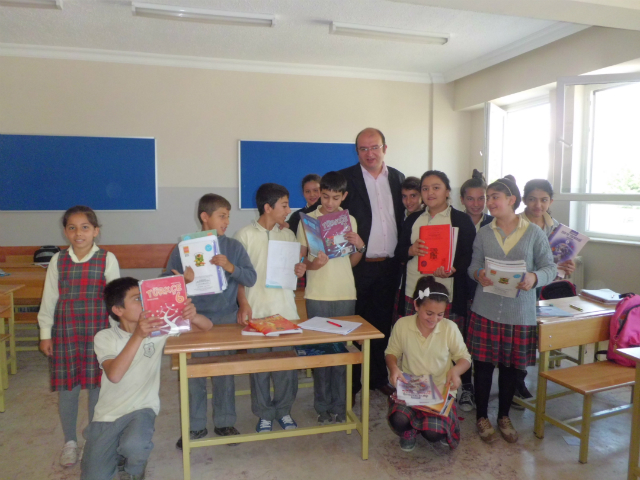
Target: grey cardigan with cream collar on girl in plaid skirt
{"points": [[527, 242]]}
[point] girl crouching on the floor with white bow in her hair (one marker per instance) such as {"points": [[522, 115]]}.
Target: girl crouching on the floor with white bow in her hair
{"points": [[426, 343]]}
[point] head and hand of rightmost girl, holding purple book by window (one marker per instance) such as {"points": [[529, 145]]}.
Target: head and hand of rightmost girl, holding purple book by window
{"points": [[538, 197]]}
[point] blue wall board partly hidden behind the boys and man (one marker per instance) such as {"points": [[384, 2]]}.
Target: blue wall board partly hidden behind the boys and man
{"points": [[286, 163]]}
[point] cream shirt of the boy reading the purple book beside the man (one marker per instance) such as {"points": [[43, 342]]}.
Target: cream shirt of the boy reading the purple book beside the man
{"points": [[333, 281]]}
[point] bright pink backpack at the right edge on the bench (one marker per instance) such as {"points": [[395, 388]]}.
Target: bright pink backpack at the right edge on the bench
{"points": [[624, 329]]}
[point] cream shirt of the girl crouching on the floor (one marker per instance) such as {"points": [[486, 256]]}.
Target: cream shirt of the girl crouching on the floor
{"points": [[432, 355]]}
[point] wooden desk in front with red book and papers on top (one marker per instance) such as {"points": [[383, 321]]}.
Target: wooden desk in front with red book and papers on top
{"points": [[228, 337]]}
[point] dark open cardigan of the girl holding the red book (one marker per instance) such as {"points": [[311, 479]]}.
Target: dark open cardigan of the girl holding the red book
{"points": [[464, 249]]}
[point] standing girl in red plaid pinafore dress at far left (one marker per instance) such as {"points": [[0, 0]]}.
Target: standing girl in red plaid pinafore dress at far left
{"points": [[71, 313]]}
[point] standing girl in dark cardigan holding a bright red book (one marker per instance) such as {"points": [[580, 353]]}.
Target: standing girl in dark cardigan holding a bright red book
{"points": [[436, 191]]}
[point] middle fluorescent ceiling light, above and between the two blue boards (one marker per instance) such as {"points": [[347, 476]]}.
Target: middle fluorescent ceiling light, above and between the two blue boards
{"points": [[201, 14]]}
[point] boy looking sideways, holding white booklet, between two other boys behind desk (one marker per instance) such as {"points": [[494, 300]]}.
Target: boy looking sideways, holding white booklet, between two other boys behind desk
{"points": [[273, 205]]}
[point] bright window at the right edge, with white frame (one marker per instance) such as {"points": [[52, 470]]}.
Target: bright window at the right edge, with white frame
{"points": [[597, 154]]}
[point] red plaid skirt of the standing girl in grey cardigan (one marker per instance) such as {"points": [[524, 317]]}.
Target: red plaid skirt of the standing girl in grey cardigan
{"points": [[493, 342]]}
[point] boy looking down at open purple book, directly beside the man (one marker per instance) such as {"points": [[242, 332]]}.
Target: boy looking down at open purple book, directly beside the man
{"points": [[331, 292]]}
